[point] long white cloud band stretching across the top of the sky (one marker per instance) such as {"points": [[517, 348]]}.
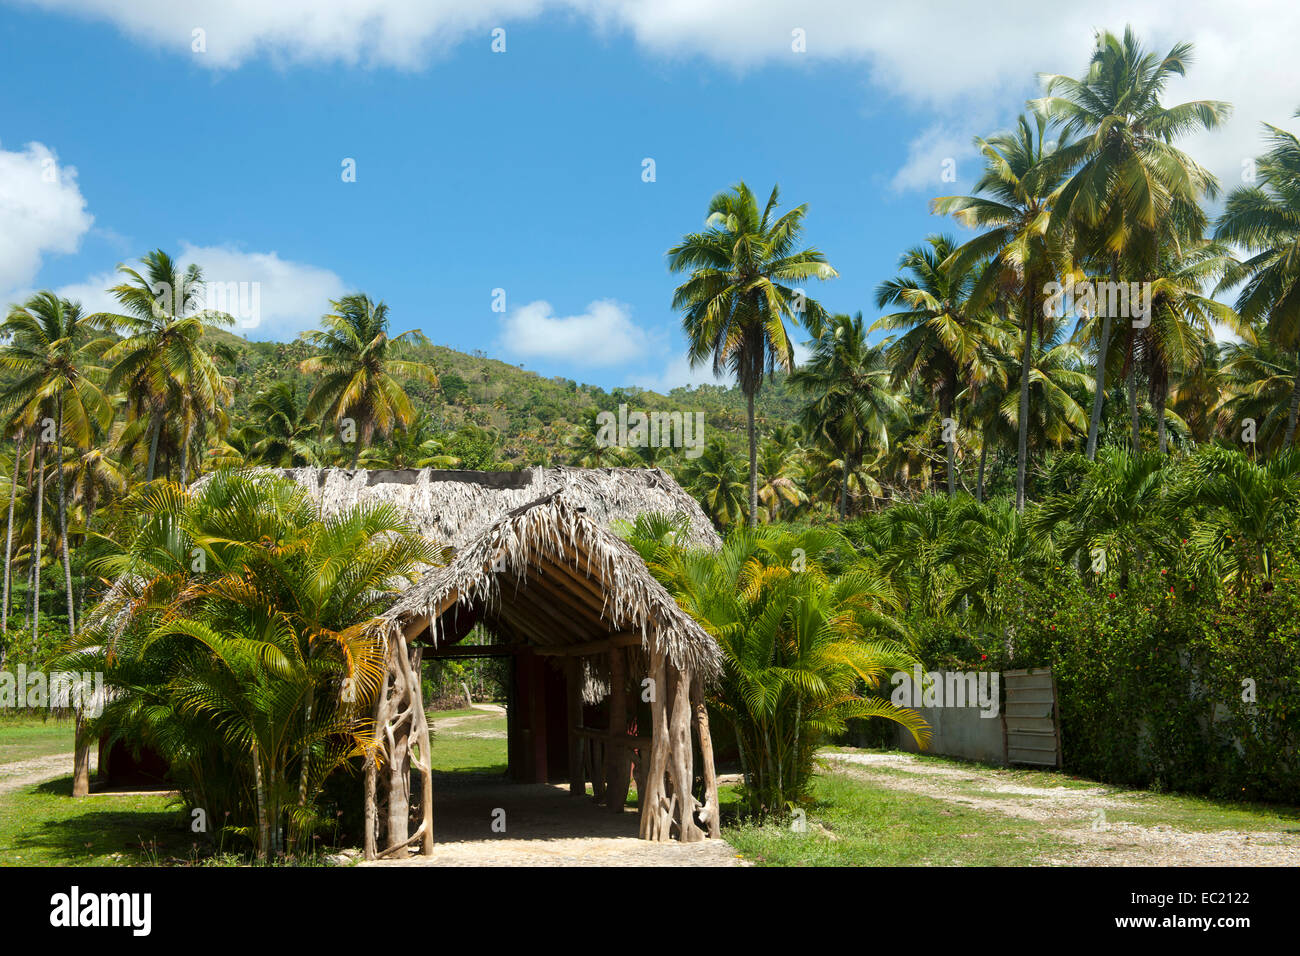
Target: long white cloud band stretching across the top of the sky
{"points": [[955, 60]]}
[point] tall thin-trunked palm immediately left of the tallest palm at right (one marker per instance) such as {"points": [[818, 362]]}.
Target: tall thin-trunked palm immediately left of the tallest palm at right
{"points": [[1012, 202]]}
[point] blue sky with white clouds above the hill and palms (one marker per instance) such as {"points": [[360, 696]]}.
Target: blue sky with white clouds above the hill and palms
{"points": [[518, 171]]}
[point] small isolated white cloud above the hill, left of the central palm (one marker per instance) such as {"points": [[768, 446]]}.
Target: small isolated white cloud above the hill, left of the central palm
{"points": [[604, 335]]}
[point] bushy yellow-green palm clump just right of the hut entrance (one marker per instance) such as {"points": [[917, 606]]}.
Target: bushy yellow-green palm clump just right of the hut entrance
{"points": [[799, 646]]}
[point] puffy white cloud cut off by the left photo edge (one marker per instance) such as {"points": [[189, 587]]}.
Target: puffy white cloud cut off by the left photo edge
{"points": [[42, 213]]}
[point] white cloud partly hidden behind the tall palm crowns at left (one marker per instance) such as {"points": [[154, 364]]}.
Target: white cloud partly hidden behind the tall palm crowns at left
{"points": [[291, 297]]}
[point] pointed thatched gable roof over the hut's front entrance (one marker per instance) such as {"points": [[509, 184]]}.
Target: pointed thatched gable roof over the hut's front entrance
{"points": [[549, 574]]}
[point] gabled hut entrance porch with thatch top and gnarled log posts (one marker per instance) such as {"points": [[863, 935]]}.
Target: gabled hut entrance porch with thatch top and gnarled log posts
{"points": [[608, 678]]}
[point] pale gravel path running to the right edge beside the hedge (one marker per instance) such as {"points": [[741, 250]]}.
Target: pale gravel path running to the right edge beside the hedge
{"points": [[1076, 814]]}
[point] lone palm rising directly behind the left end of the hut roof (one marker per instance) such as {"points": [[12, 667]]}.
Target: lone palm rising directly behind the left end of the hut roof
{"points": [[361, 370]]}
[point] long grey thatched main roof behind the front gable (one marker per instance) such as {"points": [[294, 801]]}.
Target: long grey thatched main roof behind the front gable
{"points": [[456, 507]]}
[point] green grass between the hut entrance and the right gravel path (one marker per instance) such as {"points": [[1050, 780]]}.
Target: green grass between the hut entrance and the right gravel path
{"points": [[853, 824]]}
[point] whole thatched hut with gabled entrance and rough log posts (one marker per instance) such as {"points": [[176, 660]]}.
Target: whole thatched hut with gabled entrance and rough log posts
{"points": [[592, 638]]}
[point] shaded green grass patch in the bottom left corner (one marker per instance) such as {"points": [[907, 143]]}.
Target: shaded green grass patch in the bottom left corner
{"points": [[44, 827]]}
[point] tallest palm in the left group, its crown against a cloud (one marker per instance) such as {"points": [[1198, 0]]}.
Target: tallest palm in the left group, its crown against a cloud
{"points": [[162, 362]]}
